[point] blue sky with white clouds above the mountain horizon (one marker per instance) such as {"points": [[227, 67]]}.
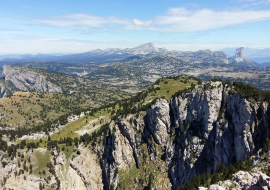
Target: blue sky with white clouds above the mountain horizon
{"points": [[75, 26]]}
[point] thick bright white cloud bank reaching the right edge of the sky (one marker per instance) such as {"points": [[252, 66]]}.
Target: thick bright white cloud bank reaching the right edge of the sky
{"points": [[183, 20]]}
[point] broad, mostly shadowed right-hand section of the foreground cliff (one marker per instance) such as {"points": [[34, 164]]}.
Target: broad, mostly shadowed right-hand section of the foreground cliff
{"points": [[223, 125]]}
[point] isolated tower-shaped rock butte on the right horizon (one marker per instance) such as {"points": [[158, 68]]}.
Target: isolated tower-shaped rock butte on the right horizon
{"points": [[240, 59]]}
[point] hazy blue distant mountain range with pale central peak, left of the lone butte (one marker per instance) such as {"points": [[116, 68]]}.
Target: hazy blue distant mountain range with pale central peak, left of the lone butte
{"points": [[117, 54]]}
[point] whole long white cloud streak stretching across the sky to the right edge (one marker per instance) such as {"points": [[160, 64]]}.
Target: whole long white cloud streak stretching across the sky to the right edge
{"points": [[174, 20]]}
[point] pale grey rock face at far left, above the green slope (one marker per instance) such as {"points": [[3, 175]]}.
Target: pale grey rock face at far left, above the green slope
{"points": [[25, 80]]}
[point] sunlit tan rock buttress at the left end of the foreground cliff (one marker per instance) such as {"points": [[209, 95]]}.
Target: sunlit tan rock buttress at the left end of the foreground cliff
{"points": [[121, 151]]}
